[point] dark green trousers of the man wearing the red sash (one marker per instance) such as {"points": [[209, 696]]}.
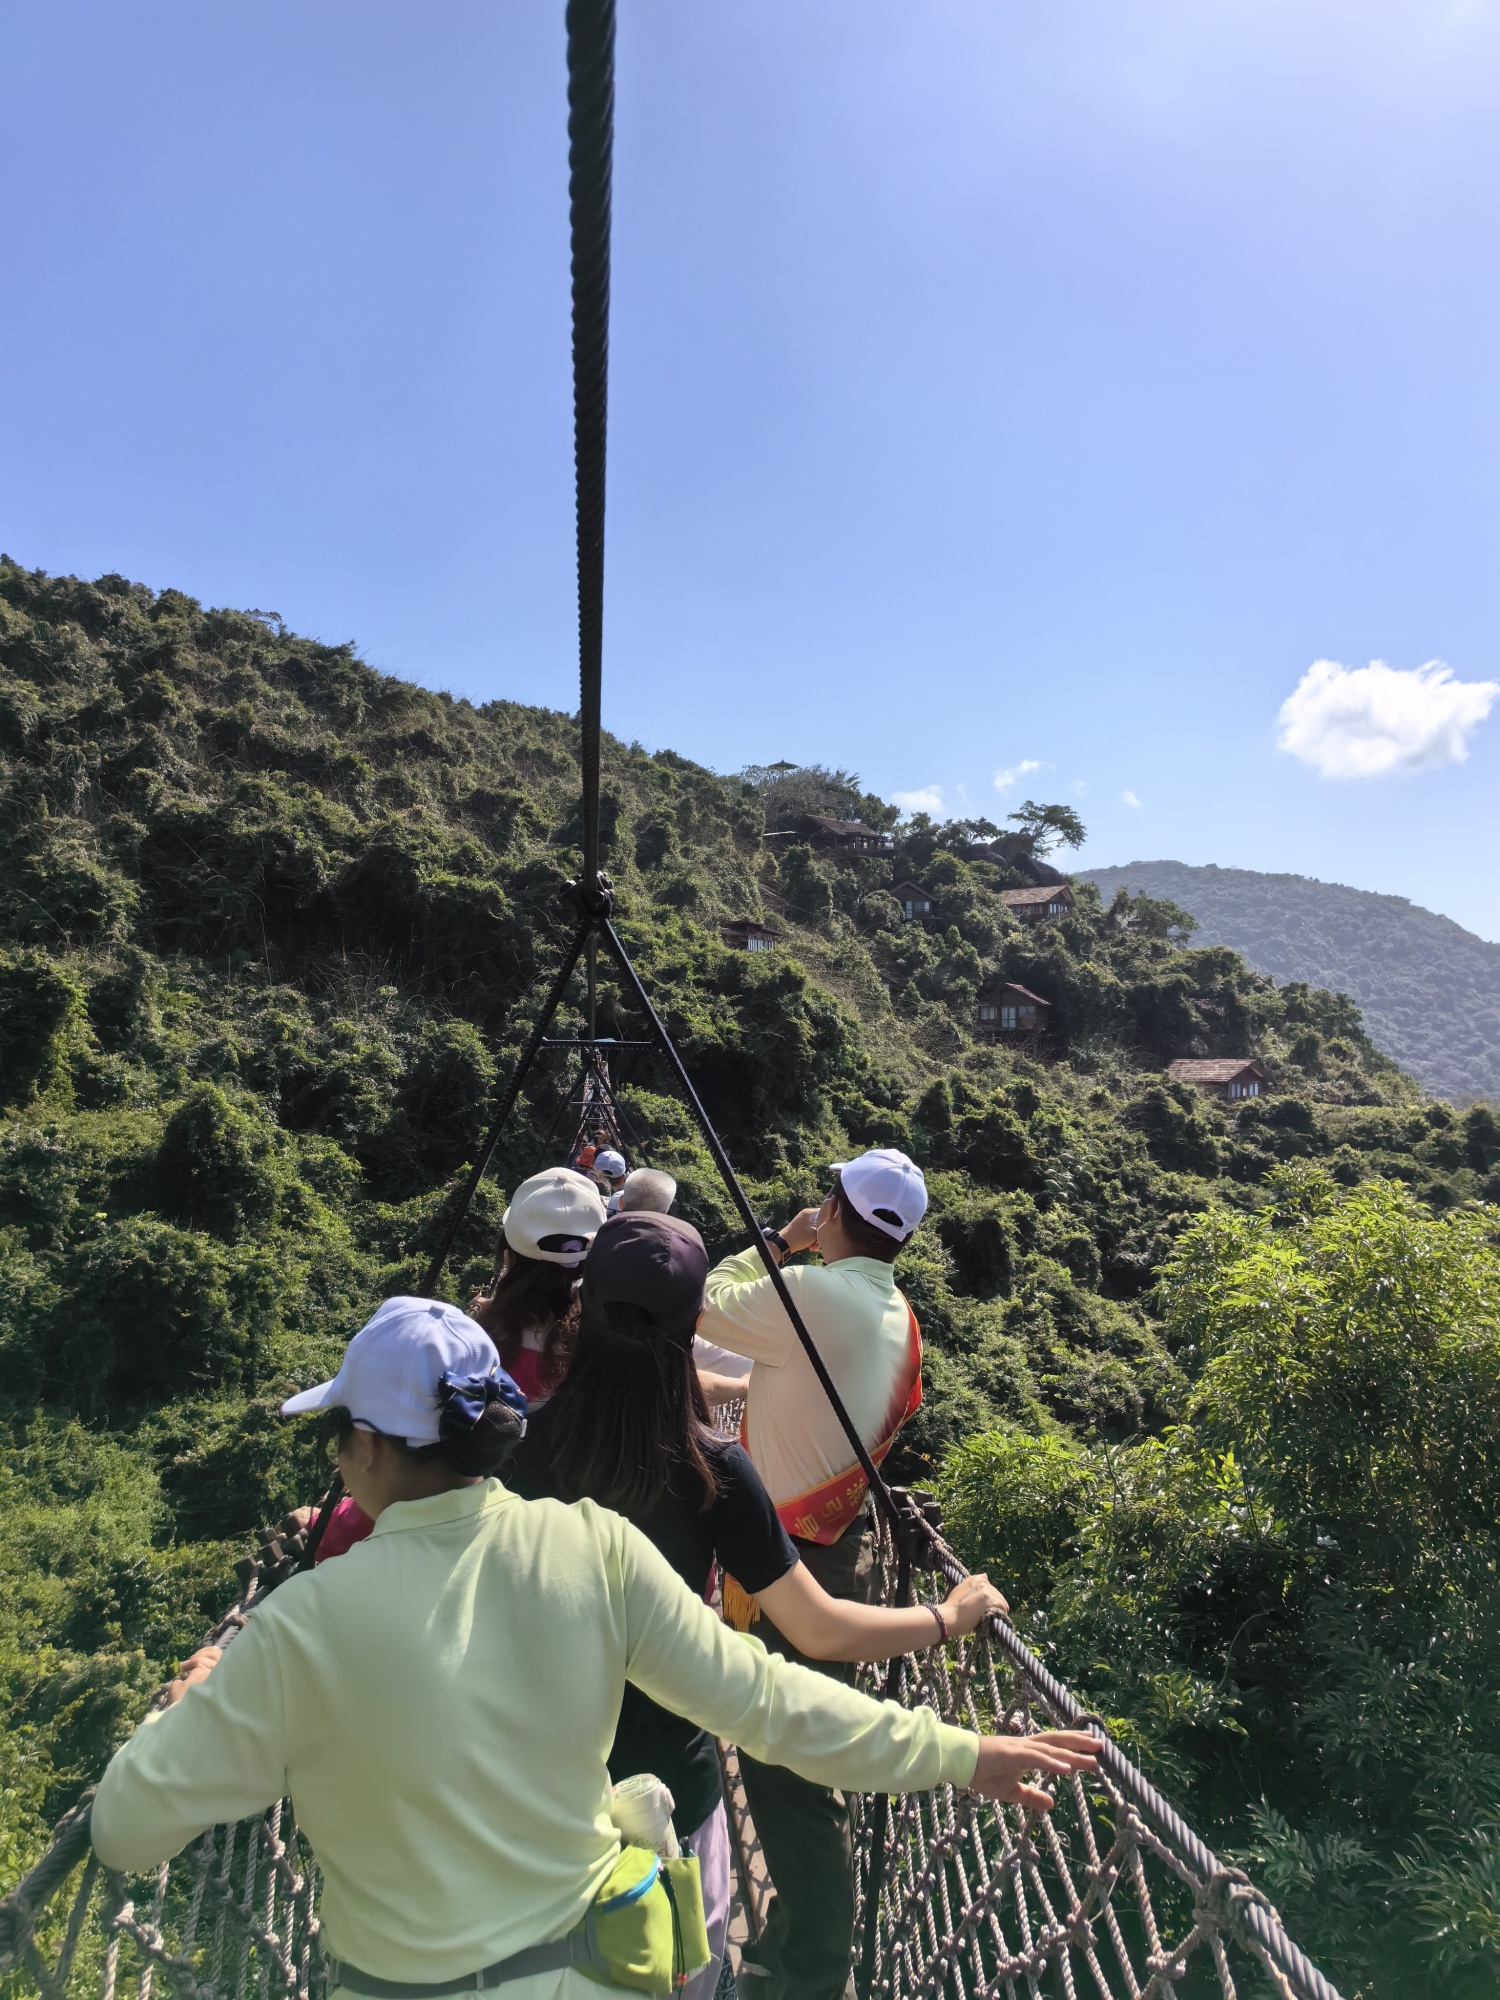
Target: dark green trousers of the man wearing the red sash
{"points": [[805, 1829]]}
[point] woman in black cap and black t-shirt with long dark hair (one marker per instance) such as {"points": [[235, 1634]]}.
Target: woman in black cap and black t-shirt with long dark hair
{"points": [[631, 1431]]}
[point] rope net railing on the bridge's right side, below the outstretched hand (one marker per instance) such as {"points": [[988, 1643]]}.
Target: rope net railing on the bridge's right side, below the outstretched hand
{"points": [[1109, 1895]]}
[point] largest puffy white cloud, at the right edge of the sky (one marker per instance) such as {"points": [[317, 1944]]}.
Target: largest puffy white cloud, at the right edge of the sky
{"points": [[1373, 721]]}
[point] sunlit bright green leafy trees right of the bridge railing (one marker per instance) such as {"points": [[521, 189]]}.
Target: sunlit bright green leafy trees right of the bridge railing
{"points": [[1291, 1595]]}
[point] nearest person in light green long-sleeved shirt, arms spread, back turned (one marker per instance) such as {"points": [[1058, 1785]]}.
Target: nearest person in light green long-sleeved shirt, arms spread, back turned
{"points": [[441, 1701]]}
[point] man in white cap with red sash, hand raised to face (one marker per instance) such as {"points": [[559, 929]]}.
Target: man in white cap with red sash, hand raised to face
{"points": [[873, 1349]]}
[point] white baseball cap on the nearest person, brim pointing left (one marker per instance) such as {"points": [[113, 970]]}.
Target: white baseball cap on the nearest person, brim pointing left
{"points": [[391, 1371]]}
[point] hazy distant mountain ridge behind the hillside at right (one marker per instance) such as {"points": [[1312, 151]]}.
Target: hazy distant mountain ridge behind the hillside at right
{"points": [[1427, 987]]}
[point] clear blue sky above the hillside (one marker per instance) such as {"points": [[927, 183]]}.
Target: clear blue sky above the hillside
{"points": [[991, 383]]}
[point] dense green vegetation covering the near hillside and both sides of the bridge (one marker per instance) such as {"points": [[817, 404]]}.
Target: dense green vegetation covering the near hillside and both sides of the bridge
{"points": [[275, 927]]}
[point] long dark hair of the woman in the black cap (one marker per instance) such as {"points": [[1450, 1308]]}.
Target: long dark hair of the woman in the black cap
{"points": [[631, 1413]]}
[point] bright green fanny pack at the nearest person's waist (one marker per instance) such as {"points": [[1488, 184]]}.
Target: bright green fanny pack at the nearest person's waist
{"points": [[647, 1925]]}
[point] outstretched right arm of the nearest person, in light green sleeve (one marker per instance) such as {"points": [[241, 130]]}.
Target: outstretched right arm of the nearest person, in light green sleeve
{"points": [[683, 1657]]}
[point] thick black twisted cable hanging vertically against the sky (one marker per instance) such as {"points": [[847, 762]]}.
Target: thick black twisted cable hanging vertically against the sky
{"points": [[591, 143]]}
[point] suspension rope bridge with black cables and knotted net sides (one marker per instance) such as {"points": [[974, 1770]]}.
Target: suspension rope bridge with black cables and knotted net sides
{"points": [[1111, 1897]]}
